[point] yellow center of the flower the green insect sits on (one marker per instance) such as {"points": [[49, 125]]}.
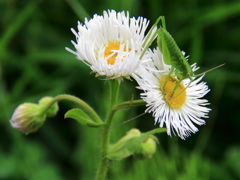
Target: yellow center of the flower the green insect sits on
{"points": [[174, 99]]}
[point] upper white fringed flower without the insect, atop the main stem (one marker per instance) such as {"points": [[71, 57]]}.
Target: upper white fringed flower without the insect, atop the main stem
{"points": [[110, 44]]}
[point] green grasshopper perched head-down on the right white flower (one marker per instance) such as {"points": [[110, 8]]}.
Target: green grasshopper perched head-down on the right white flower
{"points": [[173, 56]]}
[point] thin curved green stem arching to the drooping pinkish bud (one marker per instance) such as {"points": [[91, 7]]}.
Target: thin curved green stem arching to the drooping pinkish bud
{"points": [[83, 105]]}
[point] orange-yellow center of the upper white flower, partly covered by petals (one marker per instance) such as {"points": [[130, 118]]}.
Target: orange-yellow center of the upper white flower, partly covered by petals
{"points": [[109, 51]]}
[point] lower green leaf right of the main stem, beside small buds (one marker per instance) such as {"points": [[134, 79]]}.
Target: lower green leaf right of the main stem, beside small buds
{"points": [[130, 146]]}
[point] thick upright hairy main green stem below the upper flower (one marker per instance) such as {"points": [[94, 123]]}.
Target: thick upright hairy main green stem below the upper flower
{"points": [[103, 161]]}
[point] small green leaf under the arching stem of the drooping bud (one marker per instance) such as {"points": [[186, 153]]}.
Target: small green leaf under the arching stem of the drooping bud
{"points": [[81, 117]]}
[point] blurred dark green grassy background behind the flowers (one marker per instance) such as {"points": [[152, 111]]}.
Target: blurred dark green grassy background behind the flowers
{"points": [[34, 63]]}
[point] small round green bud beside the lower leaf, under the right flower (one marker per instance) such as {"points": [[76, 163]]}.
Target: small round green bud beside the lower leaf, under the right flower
{"points": [[147, 147]]}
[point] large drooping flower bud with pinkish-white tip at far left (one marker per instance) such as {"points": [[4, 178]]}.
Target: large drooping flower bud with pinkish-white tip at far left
{"points": [[27, 118]]}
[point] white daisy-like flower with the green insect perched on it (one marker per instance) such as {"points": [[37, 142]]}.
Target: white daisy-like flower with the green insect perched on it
{"points": [[178, 111]]}
